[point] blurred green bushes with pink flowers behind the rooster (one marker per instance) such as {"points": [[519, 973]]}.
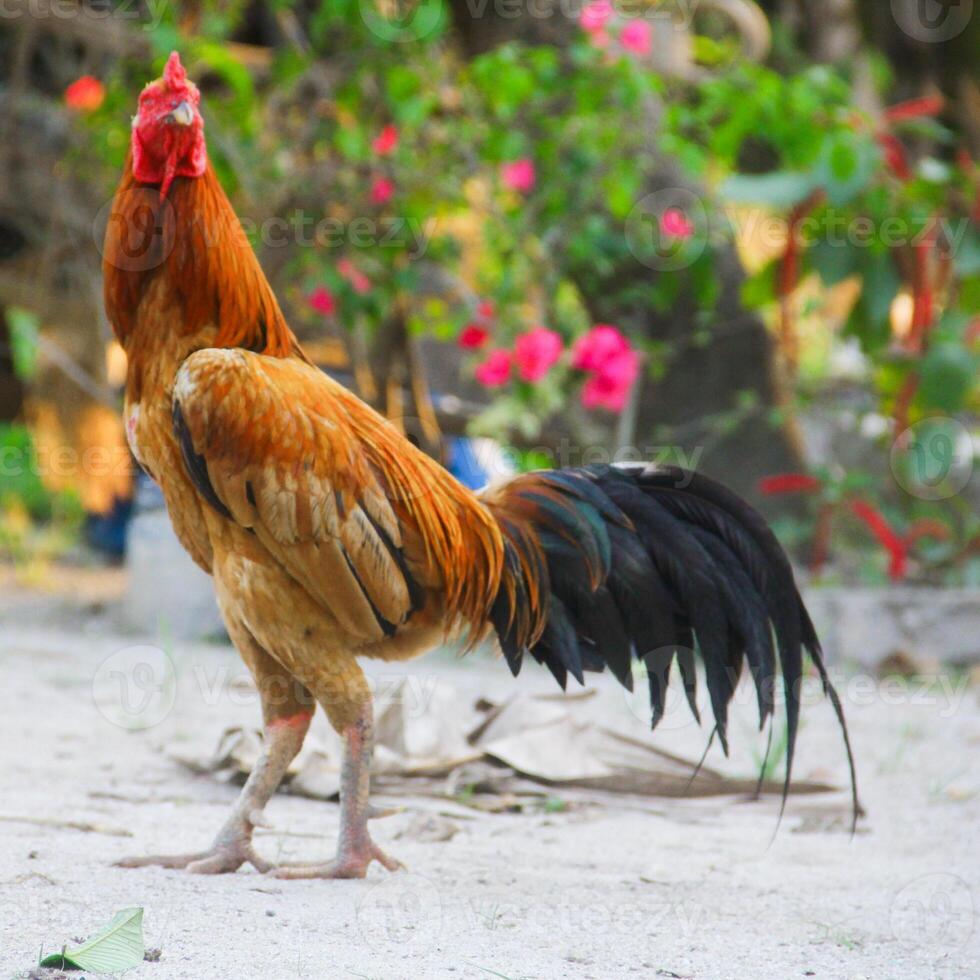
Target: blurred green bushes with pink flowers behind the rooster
{"points": [[506, 200]]}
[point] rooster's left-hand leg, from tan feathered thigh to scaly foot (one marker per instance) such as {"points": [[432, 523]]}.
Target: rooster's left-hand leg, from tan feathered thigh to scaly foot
{"points": [[287, 711]]}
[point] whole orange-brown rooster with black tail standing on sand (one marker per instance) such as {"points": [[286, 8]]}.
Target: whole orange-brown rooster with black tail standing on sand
{"points": [[331, 538]]}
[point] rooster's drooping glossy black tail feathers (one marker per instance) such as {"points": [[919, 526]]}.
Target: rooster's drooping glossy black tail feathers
{"points": [[656, 563]]}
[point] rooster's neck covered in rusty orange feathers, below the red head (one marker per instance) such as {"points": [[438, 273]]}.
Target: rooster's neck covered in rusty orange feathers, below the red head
{"points": [[183, 265]]}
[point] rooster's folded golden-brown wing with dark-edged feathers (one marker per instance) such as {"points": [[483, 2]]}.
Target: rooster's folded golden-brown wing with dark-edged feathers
{"points": [[280, 449]]}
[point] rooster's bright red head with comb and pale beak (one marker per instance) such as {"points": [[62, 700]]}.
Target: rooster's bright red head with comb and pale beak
{"points": [[168, 131]]}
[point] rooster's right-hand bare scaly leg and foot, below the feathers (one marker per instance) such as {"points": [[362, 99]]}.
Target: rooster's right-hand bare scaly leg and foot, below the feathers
{"points": [[355, 849]]}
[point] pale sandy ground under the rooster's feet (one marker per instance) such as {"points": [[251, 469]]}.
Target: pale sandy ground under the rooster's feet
{"points": [[610, 887]]}
